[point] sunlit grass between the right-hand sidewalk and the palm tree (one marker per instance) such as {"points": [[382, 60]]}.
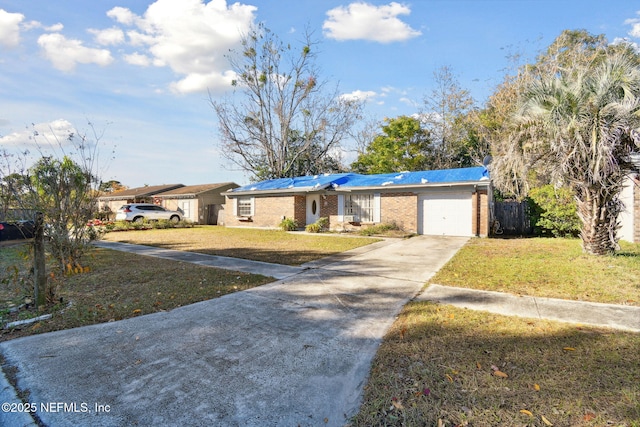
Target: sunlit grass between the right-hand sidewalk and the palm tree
{"points": [[554, 268]]}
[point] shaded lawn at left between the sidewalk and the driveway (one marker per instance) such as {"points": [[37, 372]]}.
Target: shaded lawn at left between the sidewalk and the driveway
{"points": [[113, 286]]}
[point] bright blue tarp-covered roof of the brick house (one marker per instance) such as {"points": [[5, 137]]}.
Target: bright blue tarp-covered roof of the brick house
{"points": [[353, 180]]}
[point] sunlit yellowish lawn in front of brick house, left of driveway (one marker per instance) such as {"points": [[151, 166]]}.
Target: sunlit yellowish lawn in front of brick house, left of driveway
{"points": [[255, 244]]}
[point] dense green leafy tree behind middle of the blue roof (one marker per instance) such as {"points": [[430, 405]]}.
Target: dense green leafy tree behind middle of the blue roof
{"points": [[403, 146]]}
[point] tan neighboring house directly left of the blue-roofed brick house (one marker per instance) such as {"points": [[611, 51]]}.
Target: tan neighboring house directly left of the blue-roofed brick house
{"points": [[202, 204]]}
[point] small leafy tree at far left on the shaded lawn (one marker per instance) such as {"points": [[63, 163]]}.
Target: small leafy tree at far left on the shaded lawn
{"points": [[62, 185]]}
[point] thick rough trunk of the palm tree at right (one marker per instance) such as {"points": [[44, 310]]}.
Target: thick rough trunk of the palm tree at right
{"points": [[598, 211]]}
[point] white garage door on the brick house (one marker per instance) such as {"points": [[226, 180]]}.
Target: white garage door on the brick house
{"points": [[445, 214]]}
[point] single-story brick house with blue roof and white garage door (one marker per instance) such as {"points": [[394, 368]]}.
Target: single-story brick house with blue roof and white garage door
{"points": [[452, 202]]}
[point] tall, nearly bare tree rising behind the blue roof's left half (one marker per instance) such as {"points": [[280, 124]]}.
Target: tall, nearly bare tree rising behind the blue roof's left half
{"points": [[285, 116]]}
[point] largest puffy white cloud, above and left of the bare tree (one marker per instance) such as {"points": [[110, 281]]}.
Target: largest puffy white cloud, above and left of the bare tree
{"points": [[190, 37]]}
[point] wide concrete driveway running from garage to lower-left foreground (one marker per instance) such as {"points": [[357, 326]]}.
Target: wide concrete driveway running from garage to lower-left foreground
{"points": [[293, 352]]}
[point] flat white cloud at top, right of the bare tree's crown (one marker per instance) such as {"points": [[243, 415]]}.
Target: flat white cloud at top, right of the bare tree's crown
{"points": [[364, 21]]}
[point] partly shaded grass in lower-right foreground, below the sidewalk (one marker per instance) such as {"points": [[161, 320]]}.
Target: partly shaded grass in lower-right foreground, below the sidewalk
{"points": [[444, 366]]}
